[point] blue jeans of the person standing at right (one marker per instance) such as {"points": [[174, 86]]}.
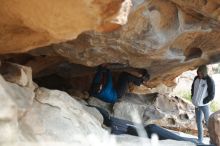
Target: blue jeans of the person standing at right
{"points": [[199, 110]]}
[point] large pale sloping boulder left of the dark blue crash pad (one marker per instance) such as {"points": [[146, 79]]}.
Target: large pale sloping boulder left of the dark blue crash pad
{"points": [[57, 116]]}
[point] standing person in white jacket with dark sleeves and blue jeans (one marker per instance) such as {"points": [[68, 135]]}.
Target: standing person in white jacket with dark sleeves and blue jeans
{"points": [[203, 92]]}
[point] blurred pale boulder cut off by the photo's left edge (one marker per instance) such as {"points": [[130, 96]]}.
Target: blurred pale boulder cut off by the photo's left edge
{"points": [[16, 100]]}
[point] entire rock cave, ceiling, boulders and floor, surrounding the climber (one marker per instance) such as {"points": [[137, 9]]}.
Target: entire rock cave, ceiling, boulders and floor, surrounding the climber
{"points": [[49, 51]]}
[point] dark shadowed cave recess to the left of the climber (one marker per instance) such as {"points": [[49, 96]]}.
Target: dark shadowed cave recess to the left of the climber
{"points": [[66, 77]]}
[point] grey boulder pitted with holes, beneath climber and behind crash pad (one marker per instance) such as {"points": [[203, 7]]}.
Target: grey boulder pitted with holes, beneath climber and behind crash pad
{"points": [[158, 109]]}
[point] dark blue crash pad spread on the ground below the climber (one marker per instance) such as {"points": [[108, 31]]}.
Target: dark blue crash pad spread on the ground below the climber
{"points": [[120, 126]]}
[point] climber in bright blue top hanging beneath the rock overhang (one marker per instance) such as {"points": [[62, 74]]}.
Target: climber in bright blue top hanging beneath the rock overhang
{"points": [[102, 85]]}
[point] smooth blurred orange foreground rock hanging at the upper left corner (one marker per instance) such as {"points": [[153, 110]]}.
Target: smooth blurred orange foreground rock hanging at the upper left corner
{"points": [[28, 24]]}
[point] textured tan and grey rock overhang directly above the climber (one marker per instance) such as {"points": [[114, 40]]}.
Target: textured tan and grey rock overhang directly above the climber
{"points": [[166, 37]]}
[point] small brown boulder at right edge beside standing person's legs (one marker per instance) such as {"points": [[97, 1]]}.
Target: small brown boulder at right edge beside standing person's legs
{"points": [[214, 128]]}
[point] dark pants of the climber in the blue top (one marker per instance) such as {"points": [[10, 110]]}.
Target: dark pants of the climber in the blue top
{"points": [[123, 83]]}
